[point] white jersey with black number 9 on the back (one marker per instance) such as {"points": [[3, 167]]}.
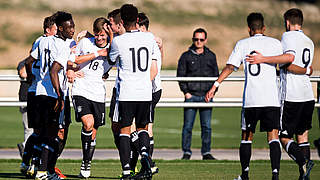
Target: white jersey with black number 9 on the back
{"points": [[297, 87]]}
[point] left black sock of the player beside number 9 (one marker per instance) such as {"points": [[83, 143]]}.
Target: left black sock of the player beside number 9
{"points": [[245, 155]]}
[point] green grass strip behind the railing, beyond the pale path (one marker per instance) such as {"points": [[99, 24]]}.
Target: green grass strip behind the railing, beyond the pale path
{"points": [[167, 130]]}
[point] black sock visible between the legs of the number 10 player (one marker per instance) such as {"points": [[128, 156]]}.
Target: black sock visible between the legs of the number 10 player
{"points": [[134, 154]]}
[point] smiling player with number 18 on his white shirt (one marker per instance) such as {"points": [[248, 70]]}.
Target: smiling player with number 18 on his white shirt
{"points": [[89, 92]]}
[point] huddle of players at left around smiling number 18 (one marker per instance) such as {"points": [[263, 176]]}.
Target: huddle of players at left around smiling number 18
{"points": [[56, 59]]}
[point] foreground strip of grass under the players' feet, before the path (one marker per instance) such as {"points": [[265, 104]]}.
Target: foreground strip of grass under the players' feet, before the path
{"points": [[178, 169]]}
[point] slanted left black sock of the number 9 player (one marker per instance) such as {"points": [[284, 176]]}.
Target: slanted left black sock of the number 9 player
{"points": [[295, 153]]}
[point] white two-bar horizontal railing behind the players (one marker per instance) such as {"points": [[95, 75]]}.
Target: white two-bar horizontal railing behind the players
{"points": [[164, 102]]}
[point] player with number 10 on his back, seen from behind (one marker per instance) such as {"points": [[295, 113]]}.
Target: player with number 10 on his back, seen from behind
{"points": [[137, 67]]}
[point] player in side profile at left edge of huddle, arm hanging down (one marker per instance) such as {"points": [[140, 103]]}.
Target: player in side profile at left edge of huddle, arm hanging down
{"points": [[53, 53]]}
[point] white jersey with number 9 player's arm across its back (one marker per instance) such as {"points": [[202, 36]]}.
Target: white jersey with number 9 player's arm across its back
{"points": [[260, 87]]}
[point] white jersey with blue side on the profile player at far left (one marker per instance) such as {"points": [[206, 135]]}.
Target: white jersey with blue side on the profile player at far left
{"points": [[51, 49]]}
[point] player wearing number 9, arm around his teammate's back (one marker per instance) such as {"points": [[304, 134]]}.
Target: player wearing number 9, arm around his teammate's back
{"points": [[296, 90]]}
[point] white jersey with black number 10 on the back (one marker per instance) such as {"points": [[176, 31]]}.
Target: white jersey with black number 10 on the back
{"points": [[135, 51]]}
